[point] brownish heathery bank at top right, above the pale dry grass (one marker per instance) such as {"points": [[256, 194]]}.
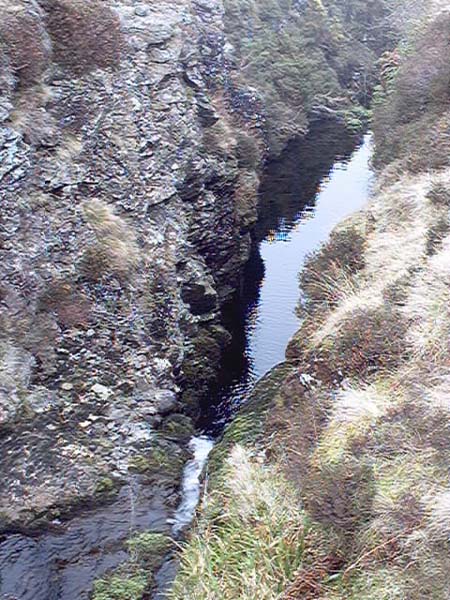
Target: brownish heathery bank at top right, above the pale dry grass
{"points": [[411, 104]]}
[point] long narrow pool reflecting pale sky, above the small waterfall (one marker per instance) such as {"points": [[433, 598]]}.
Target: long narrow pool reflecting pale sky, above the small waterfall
{"points": [[314, 184]]}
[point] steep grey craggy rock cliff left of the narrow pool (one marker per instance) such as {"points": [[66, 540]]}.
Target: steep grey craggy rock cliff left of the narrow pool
{"points": [[125, 217]]}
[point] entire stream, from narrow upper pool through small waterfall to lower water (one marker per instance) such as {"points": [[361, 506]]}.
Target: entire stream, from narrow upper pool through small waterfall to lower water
{"points": [[304, 194]]}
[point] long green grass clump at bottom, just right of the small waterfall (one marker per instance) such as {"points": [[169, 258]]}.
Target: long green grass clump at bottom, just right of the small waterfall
{"points": [[250, 538]]}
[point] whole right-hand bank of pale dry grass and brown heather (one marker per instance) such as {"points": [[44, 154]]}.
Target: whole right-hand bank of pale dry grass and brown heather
{"points": [[348, 496]]}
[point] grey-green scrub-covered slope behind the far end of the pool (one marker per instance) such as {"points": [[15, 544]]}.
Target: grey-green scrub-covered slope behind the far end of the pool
{"points": [[314, 57]]}
